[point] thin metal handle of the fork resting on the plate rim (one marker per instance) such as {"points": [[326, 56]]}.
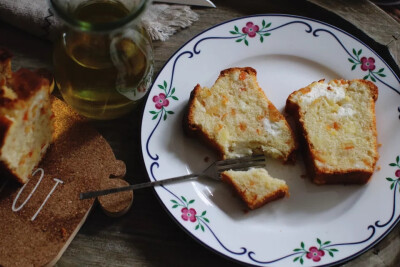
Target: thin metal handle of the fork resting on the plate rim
{"points": [[92, 194]]}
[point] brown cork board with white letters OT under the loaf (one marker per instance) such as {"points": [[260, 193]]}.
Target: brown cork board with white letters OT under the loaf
{"points": [[40, 219]]}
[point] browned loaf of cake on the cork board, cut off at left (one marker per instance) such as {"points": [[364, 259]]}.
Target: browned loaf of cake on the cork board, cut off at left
{"points": [[25, 119]]}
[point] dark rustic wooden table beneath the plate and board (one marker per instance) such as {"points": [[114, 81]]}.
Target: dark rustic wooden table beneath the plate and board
{"points": [[146, 235]]}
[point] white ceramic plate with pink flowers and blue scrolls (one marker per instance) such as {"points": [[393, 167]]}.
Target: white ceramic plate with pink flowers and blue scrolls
{"points": [[317, 225]]}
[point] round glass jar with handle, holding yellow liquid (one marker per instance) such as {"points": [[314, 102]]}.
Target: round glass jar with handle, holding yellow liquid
{"points": [[103, 58]]}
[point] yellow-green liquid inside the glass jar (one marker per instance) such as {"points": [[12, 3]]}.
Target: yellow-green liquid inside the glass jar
{"points": [[85, 72]]}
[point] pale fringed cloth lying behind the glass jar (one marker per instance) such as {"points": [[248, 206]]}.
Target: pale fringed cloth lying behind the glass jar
{"points": [[160, 20]]}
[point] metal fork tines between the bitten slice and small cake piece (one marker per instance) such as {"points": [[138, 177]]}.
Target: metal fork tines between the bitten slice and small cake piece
{"points": [[241, 163]]}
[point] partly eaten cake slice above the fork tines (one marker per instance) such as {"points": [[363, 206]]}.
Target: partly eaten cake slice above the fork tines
{"points": [[236, 118]]}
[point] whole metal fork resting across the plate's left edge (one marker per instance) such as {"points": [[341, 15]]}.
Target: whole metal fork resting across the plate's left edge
{"points": [[213, 171]]}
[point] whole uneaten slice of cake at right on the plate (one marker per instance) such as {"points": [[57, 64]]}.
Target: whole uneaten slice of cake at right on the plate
{"points": [[336, 121]]}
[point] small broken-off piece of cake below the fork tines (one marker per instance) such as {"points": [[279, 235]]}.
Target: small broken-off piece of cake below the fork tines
{"points": [[255, 186]]}
